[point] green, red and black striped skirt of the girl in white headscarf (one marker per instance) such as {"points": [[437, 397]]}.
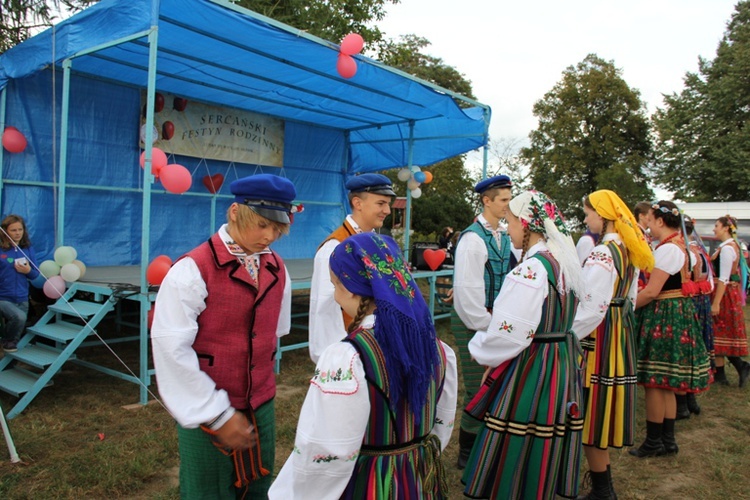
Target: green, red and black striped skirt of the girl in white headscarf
{"points": [[530, 444]]}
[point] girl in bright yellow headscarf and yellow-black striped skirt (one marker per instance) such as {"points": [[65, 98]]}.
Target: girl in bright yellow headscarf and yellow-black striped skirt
{"points": [[611, 275]]}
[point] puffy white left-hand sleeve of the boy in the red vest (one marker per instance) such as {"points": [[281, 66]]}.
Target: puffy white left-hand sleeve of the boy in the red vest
{"points": [[189, 393]]}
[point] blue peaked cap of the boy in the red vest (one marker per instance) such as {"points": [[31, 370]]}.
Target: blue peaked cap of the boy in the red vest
{"points": [[267, 195]]}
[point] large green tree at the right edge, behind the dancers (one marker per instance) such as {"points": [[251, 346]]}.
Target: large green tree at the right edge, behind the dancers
{"points": [[703, 133]]}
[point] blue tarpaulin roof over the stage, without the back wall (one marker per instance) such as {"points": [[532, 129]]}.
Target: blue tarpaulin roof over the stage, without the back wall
{"points": [[217, 53]]}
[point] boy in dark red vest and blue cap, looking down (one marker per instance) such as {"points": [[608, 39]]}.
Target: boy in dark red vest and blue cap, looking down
{"points": [[218, 315]]}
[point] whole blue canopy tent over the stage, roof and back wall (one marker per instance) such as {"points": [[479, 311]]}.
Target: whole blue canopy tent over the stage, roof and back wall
{"points": [[76, 91]]}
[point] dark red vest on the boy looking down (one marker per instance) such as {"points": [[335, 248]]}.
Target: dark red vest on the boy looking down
{"points": [[236, 341]]}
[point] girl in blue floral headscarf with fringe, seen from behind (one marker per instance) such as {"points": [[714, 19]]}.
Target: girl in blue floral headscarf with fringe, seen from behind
{"points": [[381, 405]]}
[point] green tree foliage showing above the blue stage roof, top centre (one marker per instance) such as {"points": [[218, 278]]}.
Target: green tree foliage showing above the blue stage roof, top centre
{"points": [[327, 19]]}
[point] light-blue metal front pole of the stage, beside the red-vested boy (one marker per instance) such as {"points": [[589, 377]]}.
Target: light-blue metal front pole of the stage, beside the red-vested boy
{"points": [[148, 179]]}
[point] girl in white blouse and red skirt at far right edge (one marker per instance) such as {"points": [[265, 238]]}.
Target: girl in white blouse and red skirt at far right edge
{"points": [[730, 338]]}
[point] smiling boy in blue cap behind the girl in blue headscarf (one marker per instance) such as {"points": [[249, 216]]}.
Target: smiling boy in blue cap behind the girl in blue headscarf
{"points": [[370, 197]]}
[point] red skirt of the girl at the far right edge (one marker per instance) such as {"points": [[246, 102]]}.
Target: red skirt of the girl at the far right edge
{"points": [[730, 338]]}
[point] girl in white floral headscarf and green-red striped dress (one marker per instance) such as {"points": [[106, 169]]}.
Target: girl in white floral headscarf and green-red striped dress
{"points": [[529, 443]]}
